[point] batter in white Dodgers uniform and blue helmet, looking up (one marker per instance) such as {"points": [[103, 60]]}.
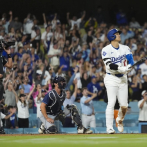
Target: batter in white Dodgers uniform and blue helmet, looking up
{"points": [[115, 57]]}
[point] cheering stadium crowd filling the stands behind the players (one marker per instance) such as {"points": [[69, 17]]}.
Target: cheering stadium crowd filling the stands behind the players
{"points": [[72, 50]]}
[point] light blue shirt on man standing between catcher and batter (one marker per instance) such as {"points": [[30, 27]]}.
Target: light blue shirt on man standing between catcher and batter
{"points": [[88, 107]]}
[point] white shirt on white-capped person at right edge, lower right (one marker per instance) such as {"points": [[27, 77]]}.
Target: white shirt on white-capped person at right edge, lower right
{"points": [[143, 111]]}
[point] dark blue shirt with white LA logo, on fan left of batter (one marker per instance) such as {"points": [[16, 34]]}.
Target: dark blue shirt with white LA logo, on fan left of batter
{"points": [[94, 88]]}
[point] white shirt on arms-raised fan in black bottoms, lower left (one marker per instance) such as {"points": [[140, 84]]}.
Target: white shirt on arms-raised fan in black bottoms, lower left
{"points": [[23, 112]]}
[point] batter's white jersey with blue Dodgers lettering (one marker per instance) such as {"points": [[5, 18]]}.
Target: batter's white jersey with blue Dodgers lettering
{"points": [[116, 55]]}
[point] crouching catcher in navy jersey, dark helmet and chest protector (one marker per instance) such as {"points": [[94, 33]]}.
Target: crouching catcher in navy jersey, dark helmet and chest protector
{"points": [[52, 105]]}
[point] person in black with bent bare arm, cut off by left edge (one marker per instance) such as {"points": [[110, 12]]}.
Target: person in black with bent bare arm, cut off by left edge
{"points": [[7, 63]]}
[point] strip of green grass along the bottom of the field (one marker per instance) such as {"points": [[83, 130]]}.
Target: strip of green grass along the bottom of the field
{"points": [[94, 140]]}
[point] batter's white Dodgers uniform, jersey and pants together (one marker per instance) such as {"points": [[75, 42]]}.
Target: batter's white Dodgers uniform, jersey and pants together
{"points": [[115, 81]]}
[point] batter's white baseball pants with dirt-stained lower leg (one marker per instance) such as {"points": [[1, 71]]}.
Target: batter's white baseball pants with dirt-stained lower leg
{"points": [[117, 87]]}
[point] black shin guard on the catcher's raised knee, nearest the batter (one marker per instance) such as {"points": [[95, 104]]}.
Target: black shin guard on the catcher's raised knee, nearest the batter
{"points": [[75, 115]]}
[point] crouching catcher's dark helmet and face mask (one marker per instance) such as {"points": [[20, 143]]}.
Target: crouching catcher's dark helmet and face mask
{"points": [[60, 81]]}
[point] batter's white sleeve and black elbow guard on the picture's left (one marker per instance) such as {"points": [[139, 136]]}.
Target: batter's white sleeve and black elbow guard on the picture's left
{"points": [[107, 60]]}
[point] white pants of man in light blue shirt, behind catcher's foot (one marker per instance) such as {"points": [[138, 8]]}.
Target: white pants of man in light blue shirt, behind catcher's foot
{"points": [[88, 121]]}
